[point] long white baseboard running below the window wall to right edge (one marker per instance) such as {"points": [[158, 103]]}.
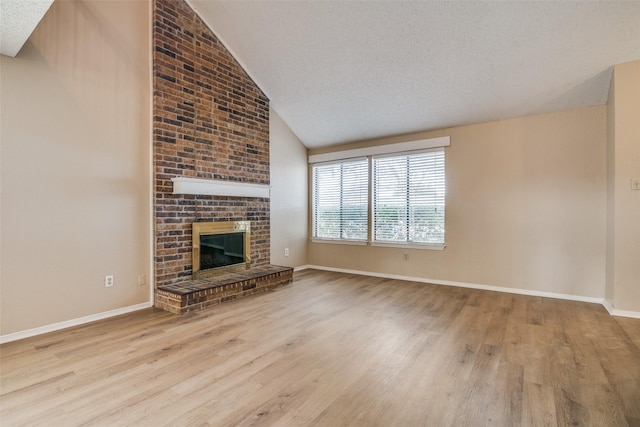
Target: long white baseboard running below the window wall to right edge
{"points": [[607, 305]]}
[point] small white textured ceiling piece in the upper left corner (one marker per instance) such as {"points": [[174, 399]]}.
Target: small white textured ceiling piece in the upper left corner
{"points": [[18, 19]]}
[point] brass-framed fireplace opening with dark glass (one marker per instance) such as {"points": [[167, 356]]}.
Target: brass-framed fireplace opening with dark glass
{"points": [[220, 247]]}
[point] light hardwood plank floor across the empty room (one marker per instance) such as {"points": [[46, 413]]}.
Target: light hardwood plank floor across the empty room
{"points": [[333, 349]]}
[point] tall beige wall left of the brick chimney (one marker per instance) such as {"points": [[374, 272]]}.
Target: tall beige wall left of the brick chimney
{"points": [[75, 165]]}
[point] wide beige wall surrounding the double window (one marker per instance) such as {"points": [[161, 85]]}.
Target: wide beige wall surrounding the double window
{"points": [[526, 208]]}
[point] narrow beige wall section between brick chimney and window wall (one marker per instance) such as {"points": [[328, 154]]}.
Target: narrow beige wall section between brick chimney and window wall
{"points": [[288, 194]]}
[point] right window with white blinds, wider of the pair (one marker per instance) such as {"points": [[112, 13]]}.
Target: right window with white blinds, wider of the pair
{"points": [[408, 198]]}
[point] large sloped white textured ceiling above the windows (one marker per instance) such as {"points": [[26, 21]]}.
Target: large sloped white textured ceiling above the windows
{"points": [[344, 71]]}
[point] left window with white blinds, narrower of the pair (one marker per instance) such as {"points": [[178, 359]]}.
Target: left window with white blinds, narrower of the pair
{"points": [[340, 200]]}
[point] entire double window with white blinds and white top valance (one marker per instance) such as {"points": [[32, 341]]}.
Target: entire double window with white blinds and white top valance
{"points": [[387, 195]]}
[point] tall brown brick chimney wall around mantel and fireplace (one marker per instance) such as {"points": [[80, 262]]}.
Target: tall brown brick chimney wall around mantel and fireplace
{"points": [[211, 121]]}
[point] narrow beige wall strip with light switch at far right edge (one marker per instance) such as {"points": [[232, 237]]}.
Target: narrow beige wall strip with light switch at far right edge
{"points": [[623, 243]]}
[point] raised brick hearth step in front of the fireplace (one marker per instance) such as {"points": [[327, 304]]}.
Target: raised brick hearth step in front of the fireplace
{"points": [[191, 295]]}
